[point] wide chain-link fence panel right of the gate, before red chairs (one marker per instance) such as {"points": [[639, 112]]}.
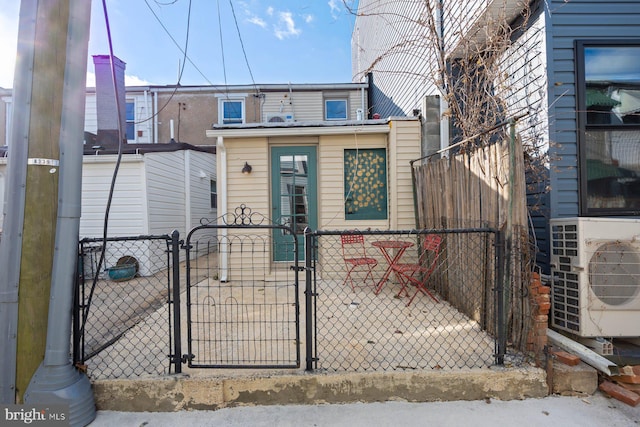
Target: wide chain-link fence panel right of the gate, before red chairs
{"points": [[372, 318]]}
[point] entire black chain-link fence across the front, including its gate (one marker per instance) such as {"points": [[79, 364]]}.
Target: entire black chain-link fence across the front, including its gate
{"points": [[396, 304]]}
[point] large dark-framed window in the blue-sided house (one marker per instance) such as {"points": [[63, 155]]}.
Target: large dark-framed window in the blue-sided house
{"points": [[609, 117]]}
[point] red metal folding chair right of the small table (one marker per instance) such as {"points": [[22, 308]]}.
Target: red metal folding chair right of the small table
{"points": [[417, 274]]}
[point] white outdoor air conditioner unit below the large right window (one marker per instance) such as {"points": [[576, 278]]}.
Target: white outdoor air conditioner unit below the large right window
{"points": [[595, 265]]}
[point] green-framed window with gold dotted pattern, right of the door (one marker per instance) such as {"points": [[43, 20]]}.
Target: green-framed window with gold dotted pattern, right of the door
{"points": [[365, 184]]}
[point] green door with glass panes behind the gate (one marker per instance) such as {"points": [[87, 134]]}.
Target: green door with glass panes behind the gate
{"points": [[293, 196]]}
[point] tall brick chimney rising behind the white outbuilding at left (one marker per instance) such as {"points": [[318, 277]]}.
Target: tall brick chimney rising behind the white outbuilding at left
{"points": [[106, 106]]}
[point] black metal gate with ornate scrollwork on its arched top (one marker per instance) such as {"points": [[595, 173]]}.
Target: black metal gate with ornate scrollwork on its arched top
{"points": [[242, 306]]}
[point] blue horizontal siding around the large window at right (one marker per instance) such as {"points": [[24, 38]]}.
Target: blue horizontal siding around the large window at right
{"points": [[570, 21]]}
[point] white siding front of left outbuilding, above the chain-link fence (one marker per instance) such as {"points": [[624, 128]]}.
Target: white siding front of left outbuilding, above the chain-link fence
{"points": [[128, 209]]}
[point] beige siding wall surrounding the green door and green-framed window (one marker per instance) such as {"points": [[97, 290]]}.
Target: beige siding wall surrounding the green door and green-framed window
{"points": [[402, 144]]}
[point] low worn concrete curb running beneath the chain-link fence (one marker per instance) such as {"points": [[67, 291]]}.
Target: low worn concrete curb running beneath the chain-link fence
{"points": [[169, 394]]}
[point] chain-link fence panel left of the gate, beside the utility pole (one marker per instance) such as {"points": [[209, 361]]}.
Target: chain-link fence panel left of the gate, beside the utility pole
{"points": [[123, 314]]}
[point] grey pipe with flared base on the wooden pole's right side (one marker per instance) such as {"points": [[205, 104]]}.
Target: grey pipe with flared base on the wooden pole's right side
{"points": [[56, 380]]}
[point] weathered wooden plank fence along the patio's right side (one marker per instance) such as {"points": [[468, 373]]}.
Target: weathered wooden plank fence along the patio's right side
{"points": [[481, 187]]}
